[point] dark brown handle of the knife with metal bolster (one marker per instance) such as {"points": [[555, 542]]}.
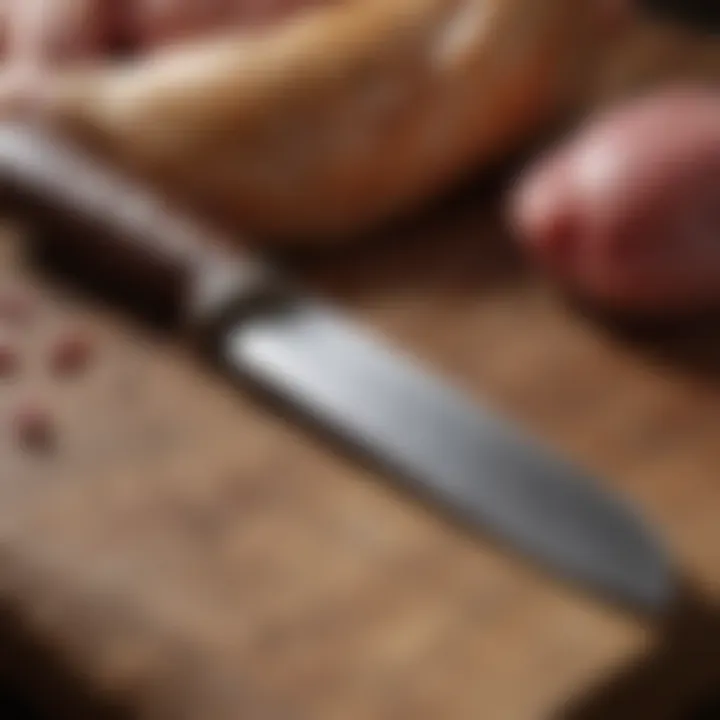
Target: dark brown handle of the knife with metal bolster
{"points": [[126, 234]]}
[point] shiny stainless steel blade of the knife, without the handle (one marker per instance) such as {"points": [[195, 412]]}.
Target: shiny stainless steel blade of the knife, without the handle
{"points": [[438, 441]]}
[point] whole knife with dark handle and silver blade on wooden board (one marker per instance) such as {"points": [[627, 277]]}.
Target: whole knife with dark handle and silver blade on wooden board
{"points": [[340, 377]]}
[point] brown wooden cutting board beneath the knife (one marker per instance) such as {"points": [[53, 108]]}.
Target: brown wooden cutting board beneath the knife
{"points": [[184, 552]]}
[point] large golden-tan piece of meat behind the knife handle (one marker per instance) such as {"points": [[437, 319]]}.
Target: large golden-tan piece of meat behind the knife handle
{"points": [[336, 118]]}
